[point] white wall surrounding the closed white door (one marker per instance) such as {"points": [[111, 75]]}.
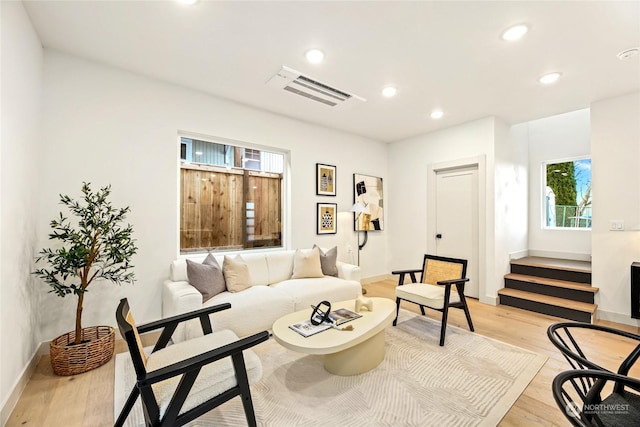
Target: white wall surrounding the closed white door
{"points": [[408, 220]]}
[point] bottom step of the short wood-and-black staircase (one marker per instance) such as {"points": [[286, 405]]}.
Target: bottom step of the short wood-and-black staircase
{"points": [[553, 306]]}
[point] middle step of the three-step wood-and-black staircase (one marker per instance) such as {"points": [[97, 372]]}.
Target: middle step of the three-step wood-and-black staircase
{"points": [[551, 287]]}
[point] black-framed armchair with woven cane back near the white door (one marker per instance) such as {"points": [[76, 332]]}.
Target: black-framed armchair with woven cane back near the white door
{"points": [[437, 276]]}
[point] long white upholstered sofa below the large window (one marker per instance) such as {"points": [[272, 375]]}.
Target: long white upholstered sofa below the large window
{"points": [[272, 294]]}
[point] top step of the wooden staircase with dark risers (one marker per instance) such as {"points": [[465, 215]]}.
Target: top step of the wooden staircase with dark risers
{"points": [[567, 270]]}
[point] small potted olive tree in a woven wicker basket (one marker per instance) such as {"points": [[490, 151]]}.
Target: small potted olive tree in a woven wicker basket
{"points": [[94, 246]]}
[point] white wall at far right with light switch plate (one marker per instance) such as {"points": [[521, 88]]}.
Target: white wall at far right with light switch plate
{"points": [[615, 147]]}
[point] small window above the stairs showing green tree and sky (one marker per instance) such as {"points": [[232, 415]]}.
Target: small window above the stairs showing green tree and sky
{"points": [[567, 195]]}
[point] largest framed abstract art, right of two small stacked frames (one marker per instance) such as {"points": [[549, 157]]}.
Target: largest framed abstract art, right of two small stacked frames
{"points": [[367, 195]]}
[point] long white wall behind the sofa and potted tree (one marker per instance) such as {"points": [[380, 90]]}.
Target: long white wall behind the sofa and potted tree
{"points": [[107, 126]]}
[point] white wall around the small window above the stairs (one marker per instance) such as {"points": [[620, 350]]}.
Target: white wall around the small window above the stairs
{"points": [[560, 137]]}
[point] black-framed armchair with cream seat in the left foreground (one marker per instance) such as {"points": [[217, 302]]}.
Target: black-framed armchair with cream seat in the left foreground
{"points": [[181, 382]]}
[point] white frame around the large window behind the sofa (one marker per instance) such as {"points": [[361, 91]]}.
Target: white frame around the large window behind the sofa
{"points": [[285, 190]]}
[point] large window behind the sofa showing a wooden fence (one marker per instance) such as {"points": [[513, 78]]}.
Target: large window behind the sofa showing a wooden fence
{"points": [[230, 197]]}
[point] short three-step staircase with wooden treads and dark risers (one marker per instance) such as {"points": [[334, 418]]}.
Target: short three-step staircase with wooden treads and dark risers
{"points": [[560, 288]]}
